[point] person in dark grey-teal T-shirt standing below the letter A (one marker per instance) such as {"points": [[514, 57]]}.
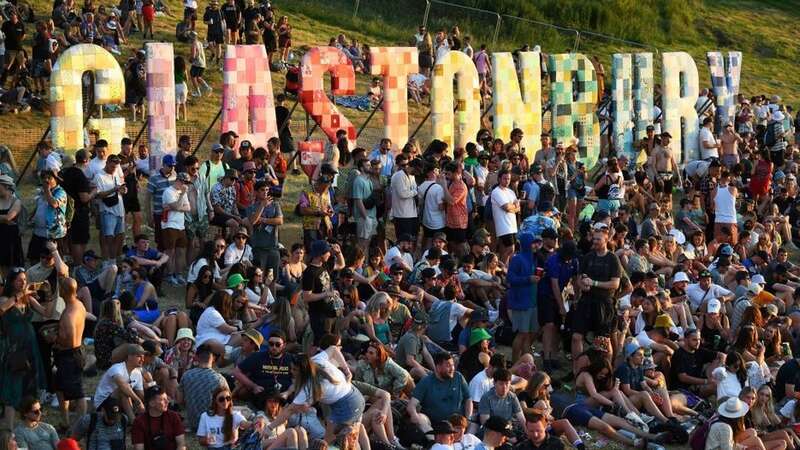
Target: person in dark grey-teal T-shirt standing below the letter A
{"points": [[266, 217]]}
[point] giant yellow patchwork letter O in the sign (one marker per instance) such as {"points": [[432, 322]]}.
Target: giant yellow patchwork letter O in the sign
{"points": [[468, 121]]}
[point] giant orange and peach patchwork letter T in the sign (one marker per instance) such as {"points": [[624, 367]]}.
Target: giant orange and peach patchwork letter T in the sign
{"points": [[395, 64]]}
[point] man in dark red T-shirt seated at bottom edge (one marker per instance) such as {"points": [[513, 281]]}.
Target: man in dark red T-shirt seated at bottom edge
{"points": [[158, 428]]}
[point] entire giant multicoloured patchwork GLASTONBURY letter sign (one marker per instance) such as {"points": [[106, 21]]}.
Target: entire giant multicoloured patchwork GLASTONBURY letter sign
{"points": [[248, 105]]}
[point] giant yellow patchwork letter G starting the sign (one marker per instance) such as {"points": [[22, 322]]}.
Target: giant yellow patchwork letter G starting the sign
{"points": [[66, 97]]}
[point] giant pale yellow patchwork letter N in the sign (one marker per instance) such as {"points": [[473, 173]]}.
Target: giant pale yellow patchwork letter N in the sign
{"points": [[518, 106]]}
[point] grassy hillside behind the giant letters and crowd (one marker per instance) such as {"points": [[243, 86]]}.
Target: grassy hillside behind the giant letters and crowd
{"points": [[763, 30]]}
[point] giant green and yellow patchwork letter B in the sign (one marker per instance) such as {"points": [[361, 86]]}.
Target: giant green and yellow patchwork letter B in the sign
{"points": [[575, 110]]}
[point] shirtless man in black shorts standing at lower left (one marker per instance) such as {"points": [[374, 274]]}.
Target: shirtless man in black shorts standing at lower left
{"points": [[68, 353]]}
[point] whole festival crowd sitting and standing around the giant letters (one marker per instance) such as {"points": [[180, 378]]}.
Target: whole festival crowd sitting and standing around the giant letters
{"points": [[444, 298]]}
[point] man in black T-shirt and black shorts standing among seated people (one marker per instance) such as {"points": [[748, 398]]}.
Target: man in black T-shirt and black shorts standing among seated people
{"points": [[600, 272]]}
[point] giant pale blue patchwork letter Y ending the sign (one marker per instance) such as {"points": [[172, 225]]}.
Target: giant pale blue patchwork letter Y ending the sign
{"points": [[725, 75]]}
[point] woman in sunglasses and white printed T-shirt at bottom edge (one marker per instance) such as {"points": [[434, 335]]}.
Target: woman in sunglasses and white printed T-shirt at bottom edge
{"points": [[219, 426]]}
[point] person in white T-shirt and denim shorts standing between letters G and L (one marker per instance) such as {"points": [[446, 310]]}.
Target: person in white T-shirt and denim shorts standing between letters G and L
{"points": [[111, 187]]}
